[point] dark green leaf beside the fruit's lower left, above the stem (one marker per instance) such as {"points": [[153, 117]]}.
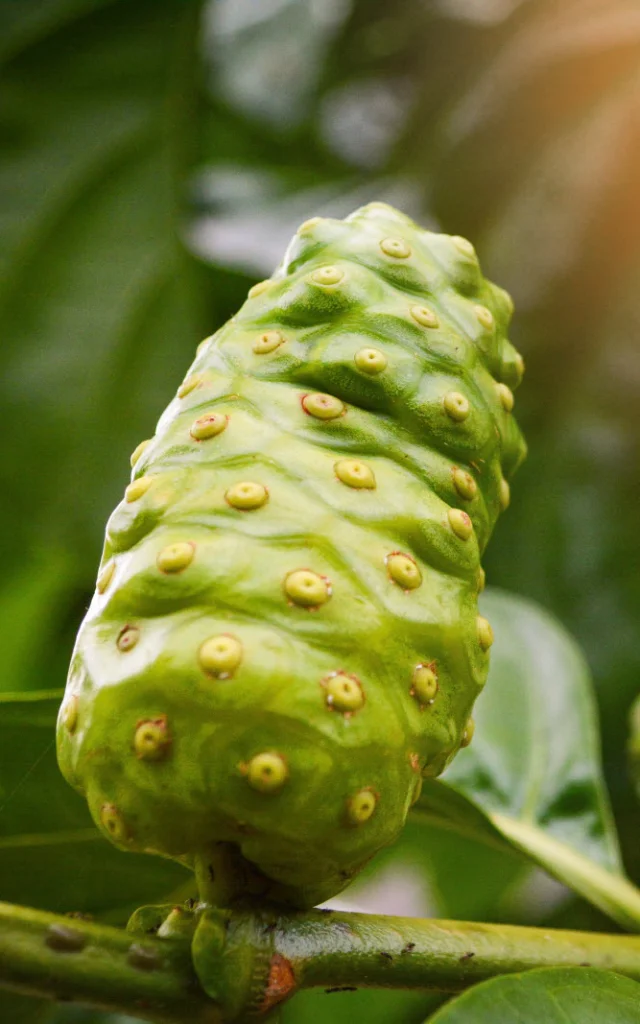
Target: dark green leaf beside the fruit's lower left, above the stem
{"points": [[52, 857]]}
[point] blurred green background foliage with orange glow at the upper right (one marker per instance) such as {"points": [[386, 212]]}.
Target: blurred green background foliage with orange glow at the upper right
{"points": [[155, 158]]}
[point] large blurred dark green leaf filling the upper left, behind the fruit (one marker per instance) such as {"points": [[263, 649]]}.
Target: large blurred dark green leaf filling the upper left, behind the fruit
{"points": [[101, 307]]}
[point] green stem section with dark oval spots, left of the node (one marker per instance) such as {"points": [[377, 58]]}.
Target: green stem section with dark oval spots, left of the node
{"points": [[59, 958]]}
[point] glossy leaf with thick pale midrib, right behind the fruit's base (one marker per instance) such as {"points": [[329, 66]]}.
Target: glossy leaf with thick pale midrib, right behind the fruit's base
{"points": [[532, 778]]}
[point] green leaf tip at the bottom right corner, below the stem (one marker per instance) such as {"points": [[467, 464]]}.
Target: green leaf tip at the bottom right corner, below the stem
{"points": [[556, 996]]}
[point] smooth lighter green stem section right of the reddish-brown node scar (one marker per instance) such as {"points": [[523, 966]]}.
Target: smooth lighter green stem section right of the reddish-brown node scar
{"points": [[336, 950]]}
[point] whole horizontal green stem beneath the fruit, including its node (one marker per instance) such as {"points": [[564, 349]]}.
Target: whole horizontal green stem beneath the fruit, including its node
{"points": [[153, 978]]}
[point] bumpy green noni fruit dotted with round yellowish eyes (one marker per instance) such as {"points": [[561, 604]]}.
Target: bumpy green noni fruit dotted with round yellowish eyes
{"points": [[285, 634]]}
